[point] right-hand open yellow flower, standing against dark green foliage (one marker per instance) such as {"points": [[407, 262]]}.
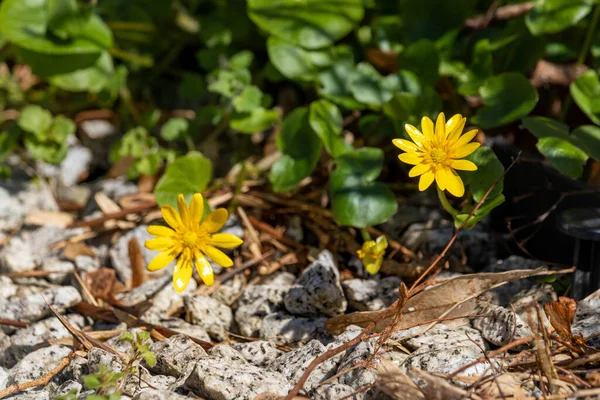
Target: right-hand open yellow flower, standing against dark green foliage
{"points": [[436, 152]]}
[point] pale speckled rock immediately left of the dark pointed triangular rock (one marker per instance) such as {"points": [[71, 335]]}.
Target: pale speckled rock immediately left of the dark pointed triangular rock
{"points": [[258, 301]]}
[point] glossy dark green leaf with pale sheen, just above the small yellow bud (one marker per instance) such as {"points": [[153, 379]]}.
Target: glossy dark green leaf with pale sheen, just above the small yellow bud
{"points": [[355, 199]]}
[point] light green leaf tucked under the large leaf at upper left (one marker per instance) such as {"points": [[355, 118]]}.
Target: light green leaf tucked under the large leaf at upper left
{"points": [[92, 79]]}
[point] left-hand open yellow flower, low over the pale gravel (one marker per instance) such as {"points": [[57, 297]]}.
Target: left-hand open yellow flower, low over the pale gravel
{"points": [[191, 240]]}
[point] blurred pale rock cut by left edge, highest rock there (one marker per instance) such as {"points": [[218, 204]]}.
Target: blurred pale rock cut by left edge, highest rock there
{"points": [[18, 196]]}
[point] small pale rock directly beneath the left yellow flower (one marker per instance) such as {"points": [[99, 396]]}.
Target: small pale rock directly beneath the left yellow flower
{"points": [[213, 316]]}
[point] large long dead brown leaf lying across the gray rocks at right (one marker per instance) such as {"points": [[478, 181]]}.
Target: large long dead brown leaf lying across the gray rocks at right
{"points": [[452, 298]]}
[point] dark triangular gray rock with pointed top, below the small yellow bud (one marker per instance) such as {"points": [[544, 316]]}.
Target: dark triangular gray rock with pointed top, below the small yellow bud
{"points": [[318, 290]]}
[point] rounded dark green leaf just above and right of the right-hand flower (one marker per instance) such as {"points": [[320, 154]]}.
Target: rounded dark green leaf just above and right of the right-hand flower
{"points": [[506, 98]]}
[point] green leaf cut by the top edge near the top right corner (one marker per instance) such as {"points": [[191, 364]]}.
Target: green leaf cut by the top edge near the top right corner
{"points": [[552, 16]]}
